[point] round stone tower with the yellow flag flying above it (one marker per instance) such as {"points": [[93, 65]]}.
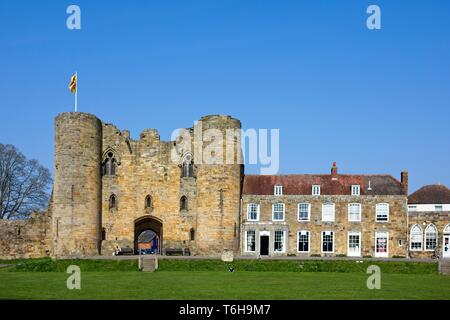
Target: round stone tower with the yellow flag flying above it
{"points": [[76, 200]]}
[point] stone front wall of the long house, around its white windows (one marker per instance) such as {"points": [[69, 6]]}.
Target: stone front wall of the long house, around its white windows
{"points": [[396, 226]]}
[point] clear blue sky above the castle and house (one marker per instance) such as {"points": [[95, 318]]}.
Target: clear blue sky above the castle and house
{"points": [[374, 101]]}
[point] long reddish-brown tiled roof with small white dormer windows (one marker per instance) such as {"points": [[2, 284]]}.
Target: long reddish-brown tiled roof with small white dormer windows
{"points": [[329, 184]]}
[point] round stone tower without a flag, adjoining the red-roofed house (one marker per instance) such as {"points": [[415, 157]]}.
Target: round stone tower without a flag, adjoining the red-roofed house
{"points": [[219, 177]]}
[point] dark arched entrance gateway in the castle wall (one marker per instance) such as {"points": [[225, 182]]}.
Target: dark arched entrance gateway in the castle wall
{"points": [[148, 235]]}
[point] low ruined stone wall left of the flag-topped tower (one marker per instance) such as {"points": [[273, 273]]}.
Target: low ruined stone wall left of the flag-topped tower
{"points": [[25, 238]]}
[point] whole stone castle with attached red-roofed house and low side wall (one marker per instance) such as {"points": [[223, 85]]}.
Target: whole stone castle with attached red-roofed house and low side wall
{"points": [[111, 192]]}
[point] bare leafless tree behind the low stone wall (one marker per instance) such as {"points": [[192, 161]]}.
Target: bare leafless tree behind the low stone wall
{"points": [[24, 184]]}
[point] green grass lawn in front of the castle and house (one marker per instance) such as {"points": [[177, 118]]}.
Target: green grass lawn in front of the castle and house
{"points": [[171, 283]]}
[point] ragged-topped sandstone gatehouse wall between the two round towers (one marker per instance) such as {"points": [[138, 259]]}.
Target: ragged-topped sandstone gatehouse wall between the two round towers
{"points": [[144, 168]]}
